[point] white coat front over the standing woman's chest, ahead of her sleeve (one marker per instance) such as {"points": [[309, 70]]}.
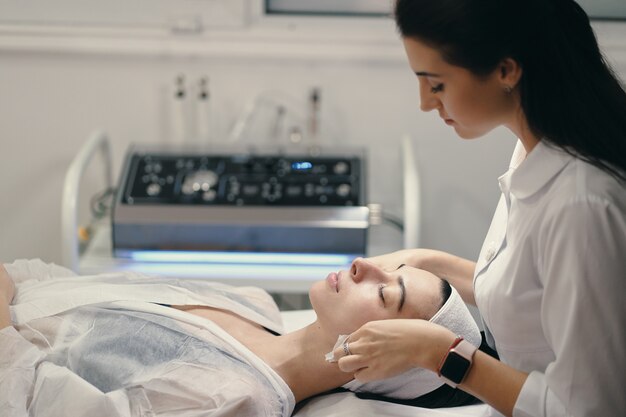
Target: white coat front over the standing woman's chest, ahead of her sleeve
{"points": [[509, 290]]}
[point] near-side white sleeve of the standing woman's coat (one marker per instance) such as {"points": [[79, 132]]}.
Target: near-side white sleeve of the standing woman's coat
{"points": [[580, 260]]}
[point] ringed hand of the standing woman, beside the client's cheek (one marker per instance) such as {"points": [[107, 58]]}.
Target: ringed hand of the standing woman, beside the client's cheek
{"points": [[386, 348]]}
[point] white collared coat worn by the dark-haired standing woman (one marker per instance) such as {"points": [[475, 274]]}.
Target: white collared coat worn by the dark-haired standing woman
{"points": [[550, 284]]}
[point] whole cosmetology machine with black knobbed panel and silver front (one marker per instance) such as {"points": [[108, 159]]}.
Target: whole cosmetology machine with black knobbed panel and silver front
{"points": [[184, 202]]}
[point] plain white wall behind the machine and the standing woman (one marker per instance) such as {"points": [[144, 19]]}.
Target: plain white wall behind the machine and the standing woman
{"points": [[54, 90]]}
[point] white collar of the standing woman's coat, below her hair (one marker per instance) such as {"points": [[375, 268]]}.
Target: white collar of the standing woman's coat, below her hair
{"points": [[542, 164]]}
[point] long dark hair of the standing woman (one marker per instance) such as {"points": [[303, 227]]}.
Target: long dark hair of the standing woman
{"points": [[570, 96]]}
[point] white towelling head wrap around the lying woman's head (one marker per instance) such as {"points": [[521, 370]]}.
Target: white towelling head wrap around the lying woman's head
{"points": [[416, 382]]}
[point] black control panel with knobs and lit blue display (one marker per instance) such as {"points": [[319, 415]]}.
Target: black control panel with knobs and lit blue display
{"points": [[242, 180]]}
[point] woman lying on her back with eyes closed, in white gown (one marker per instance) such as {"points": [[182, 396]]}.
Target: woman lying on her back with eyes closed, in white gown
{"points": [[125, 344]]}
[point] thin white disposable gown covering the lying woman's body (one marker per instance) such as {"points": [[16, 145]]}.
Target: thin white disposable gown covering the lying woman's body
{"points": [[88, 346]]}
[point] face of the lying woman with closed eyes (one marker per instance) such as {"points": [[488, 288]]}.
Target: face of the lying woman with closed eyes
{"points": [[348, 299]]}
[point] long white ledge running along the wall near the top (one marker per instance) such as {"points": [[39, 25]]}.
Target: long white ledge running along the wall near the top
{"points": [[266, 42]]}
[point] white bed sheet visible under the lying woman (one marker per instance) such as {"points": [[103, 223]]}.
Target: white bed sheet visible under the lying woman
{"points": [[346, 404]]}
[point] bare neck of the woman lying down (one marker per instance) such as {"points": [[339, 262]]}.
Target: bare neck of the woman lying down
{"points": [[298, 357]]}
